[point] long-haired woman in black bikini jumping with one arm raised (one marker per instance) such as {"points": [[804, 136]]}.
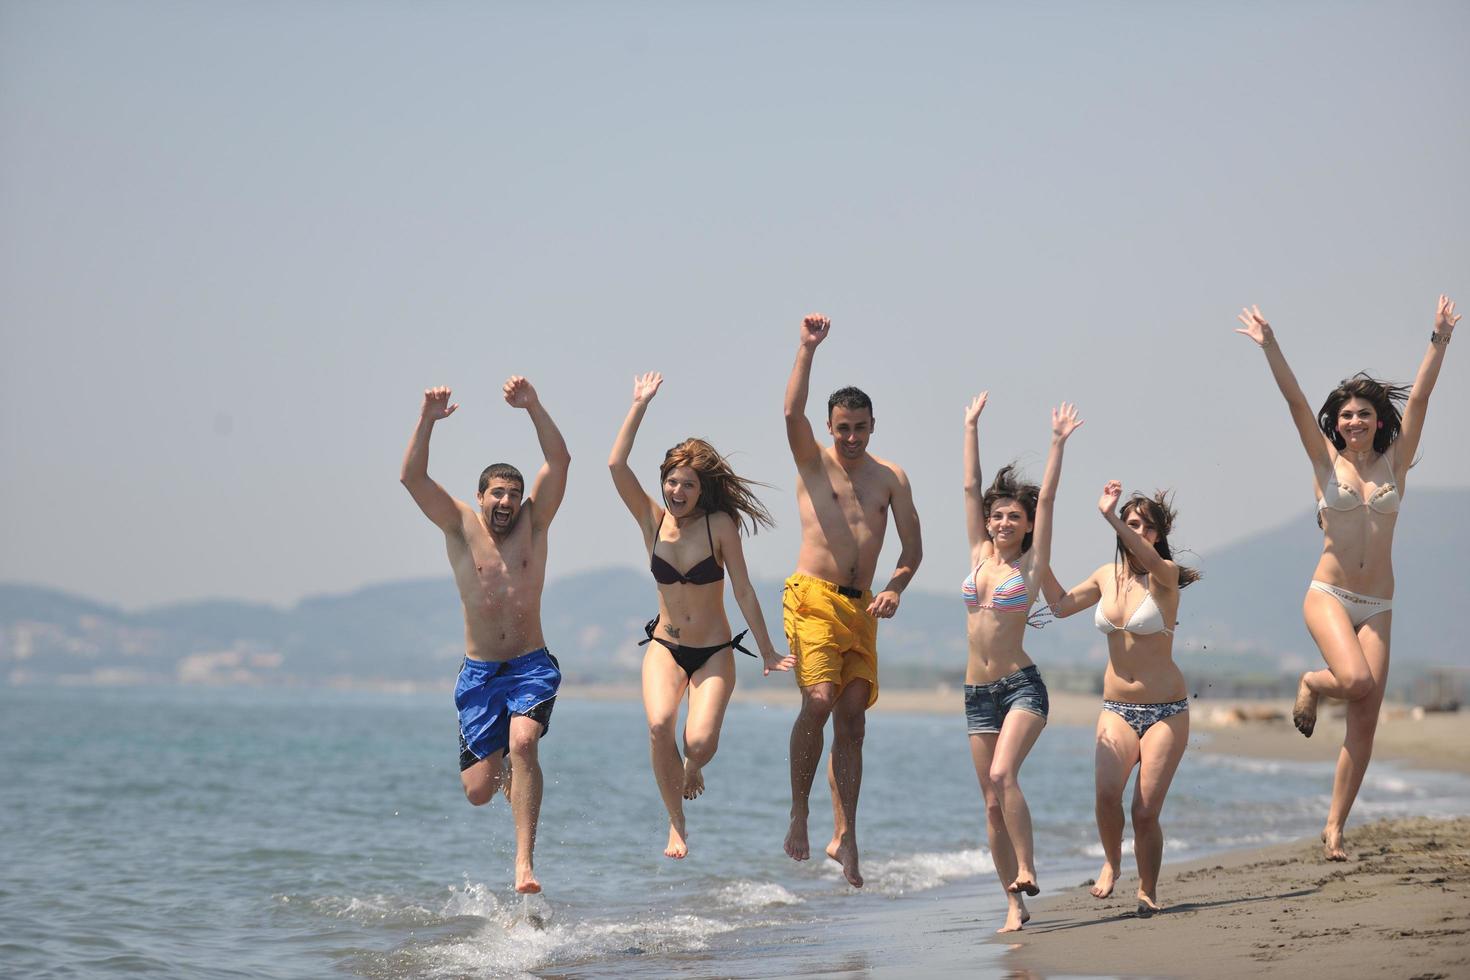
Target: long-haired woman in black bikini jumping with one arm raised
{"points": [[690, 646]]}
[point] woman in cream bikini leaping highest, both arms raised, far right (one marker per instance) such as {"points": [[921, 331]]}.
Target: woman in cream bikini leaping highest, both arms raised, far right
{"points": [[1360, 447]]}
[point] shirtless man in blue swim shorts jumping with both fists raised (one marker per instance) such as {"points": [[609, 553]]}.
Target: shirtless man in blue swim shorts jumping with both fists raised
{"points": [[499, 553]]}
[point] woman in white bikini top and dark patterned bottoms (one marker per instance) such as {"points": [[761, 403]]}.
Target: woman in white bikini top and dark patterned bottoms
{"points": [[1146, 703]]}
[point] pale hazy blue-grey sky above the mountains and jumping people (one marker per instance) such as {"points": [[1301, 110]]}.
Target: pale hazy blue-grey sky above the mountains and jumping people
{"points": [[240, 239]]}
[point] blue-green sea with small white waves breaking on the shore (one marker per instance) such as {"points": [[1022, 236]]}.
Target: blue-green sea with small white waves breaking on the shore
{"points": [[227, 832]]}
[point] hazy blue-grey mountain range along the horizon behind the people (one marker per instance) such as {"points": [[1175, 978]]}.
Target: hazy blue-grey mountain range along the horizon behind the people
{"points": [[1243, 618]]}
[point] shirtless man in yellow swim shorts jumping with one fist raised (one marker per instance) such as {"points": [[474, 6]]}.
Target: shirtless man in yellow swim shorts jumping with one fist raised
{"points": [[845, 496]]}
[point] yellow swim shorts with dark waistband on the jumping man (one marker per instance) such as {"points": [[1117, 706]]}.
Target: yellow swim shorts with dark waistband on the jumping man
{"points": [[831, 635]]}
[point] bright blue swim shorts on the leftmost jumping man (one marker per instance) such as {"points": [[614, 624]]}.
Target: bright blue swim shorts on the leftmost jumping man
{"points": [[489, 693]]}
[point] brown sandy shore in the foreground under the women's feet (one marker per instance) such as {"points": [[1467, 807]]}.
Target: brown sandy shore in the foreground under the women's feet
{"points": [[1399, 909]]}
